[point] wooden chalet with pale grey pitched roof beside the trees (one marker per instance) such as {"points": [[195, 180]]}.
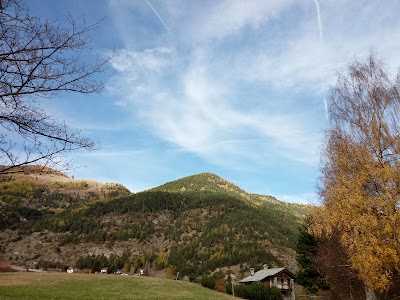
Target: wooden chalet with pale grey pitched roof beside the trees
{"points": [[279, 277]]}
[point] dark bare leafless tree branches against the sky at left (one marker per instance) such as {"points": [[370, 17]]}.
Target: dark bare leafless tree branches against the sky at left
{"points": [[39, 59]]}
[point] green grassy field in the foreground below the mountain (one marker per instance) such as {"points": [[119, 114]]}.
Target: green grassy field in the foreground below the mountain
{"points": [[23, 285]]}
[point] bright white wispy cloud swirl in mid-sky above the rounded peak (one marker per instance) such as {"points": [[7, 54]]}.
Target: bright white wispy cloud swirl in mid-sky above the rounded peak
{"points": [[199, 117]]}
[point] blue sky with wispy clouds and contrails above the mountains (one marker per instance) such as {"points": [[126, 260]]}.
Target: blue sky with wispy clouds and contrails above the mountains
{"points": [[233, 87]]}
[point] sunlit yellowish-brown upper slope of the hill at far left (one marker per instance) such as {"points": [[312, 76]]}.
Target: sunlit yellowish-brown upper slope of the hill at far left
{"points": [[49, 189]]}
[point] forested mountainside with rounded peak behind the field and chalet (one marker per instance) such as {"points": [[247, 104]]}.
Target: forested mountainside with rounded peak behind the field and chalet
{"points": [[192, 225]]}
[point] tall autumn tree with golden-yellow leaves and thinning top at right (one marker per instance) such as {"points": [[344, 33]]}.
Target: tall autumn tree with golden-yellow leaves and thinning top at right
{"points": [[360, 182]]}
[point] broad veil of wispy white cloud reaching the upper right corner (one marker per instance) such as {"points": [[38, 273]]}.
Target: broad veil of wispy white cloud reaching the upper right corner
{"points": [[240, 84]]}
